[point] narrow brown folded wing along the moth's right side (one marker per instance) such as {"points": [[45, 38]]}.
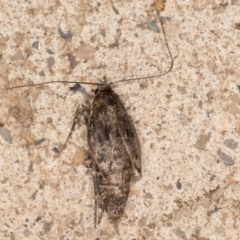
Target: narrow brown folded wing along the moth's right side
{"points": [[129, 135]]}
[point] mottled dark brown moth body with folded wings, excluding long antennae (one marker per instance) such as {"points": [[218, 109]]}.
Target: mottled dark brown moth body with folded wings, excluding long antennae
{"points": [[115, 151]]}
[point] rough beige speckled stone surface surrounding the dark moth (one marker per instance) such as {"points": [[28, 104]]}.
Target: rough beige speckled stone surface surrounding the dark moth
{"points": [[187, 121]]}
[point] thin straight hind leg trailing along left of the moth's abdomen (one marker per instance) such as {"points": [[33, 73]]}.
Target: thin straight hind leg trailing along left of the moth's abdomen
{"points": [[98, 203]]}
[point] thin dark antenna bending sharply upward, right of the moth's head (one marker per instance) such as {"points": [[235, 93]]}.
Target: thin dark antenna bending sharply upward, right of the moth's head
{"points": [[154, 76]]}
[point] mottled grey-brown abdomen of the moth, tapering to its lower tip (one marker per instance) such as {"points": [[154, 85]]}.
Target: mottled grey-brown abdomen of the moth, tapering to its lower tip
{"points": [[114, 185]]}
